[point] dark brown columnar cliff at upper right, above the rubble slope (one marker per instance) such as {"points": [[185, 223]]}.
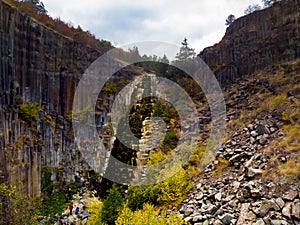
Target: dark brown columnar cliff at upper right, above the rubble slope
{"points": [[254, 41]]}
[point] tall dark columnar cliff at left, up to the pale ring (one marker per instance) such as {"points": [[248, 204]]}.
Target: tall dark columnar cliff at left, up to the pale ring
{"points": [[37, 65]]}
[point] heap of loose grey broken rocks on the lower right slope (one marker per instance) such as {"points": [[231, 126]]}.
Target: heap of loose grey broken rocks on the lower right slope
{"points": [[241, 196]]}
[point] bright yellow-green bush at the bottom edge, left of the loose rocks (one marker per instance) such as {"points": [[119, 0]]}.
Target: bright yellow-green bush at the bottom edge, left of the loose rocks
{"points": [[147, 215]]}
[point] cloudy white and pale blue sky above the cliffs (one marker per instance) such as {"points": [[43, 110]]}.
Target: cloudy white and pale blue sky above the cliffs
{"points": [[202, 22]]}
